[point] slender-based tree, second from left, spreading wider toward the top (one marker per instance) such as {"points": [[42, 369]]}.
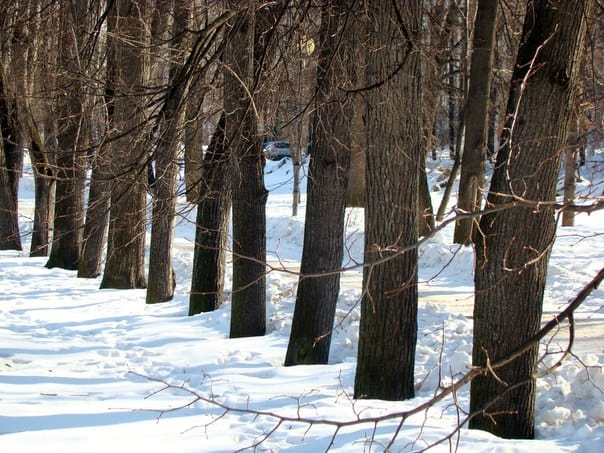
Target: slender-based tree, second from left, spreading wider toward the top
{"points": [[32, 58]]}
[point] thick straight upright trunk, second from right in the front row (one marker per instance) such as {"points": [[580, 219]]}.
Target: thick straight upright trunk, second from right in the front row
{"points": [[388, 327]]}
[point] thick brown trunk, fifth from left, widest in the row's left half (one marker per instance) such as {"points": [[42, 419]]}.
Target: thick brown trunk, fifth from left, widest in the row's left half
{"points": [[125, 262]]}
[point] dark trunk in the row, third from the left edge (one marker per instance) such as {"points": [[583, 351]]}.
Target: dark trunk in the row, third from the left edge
{"points": [[71, 153]]}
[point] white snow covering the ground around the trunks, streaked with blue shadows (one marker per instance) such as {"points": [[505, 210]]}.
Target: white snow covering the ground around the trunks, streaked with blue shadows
{"points": [[89, 370]]}
